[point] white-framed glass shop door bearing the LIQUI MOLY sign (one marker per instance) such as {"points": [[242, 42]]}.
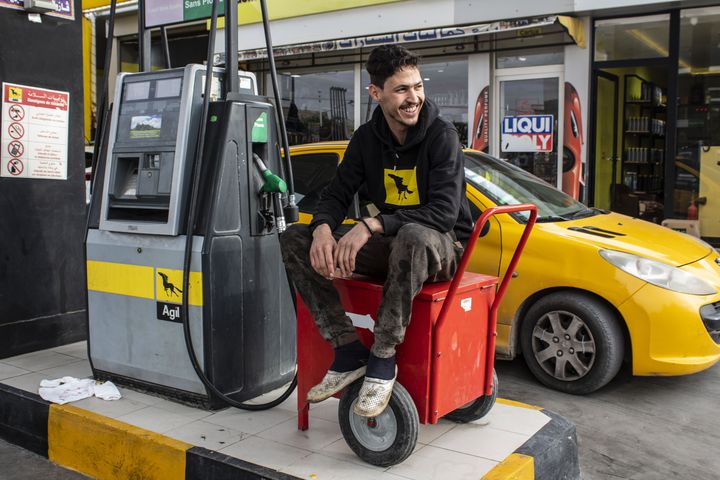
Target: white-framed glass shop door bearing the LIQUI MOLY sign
{"points": [[528, 132]]}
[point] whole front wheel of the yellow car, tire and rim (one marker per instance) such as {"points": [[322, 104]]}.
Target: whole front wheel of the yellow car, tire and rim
{"points": [[572, 342]]}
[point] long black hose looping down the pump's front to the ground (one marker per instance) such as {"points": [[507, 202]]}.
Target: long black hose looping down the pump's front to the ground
{"points": [[192, 213]]}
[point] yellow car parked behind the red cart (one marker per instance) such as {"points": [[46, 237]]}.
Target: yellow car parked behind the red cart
{"points": [[593, 287]]}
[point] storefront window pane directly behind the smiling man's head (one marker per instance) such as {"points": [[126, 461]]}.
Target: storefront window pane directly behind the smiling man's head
{"points": [[445, 84]]}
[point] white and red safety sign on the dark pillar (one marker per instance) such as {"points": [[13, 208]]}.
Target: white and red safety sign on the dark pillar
{"points": [[35, 132]]}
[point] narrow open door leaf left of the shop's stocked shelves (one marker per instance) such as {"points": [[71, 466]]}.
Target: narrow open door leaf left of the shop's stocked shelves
{"points": [[604, 151]]}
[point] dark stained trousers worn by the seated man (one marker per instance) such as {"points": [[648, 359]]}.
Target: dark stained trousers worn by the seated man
{"points": [[415, 255]]}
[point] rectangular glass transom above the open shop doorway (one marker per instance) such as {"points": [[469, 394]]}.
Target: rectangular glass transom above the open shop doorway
{"points": [[632, 38]]}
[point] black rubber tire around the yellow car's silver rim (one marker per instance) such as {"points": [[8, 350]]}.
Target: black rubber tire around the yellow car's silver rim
{"points": [[604, 327]]}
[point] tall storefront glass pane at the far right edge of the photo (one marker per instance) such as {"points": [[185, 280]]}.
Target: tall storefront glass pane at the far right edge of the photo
{"points": [[697, 174]]}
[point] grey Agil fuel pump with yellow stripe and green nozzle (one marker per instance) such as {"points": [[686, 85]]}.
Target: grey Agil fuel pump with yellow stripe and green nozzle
{"points": [[187, 292]]}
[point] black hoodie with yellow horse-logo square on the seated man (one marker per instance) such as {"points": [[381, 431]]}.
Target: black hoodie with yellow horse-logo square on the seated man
{"points": [[422, 181]]}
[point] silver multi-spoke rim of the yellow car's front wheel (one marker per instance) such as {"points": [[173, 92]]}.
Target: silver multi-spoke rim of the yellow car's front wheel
{"points": [[563, 345]]}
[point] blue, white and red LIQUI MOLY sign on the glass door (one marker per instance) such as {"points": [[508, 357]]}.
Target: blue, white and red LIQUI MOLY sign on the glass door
{"points": [[527, 133]]}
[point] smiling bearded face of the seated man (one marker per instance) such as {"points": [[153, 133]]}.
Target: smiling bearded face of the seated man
{"points": [[401, 98]]}
